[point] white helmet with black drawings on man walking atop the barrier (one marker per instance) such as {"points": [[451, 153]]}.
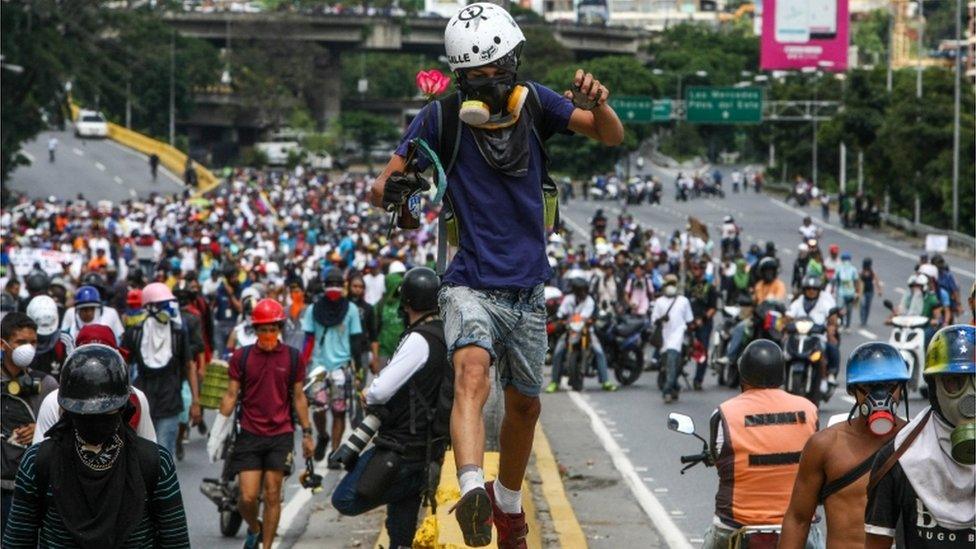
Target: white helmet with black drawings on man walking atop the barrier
{"points": [[480, 34]]}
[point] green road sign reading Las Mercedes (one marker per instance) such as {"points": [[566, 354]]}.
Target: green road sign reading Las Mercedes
{"points": [[705, 105]]}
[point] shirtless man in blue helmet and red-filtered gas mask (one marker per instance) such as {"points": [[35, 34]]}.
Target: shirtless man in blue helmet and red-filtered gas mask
{"points": [[836, 461]]}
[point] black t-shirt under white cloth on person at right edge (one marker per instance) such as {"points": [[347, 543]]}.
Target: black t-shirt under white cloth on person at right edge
{"points": [[894, 499]]}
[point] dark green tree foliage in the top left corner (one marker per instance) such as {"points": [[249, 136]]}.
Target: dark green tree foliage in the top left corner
{"points": [[96, 50]]}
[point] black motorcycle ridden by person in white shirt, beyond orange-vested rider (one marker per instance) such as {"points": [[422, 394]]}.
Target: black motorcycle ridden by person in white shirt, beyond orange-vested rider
{"points": [[803, 353]]}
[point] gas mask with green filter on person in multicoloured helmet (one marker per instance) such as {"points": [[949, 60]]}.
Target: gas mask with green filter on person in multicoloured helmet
{"points": [[956, 397]]}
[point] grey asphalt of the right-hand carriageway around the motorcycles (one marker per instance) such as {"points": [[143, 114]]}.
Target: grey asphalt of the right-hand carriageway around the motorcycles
{"points": [[635, 416]]}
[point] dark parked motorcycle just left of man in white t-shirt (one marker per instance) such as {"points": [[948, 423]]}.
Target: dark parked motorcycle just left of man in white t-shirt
{"points": [[623, 339]]}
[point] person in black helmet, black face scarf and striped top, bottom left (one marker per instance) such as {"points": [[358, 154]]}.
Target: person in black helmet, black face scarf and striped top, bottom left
{"points": [[94, 482]]}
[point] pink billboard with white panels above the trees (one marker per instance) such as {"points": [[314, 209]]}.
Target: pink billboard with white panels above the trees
{"points": [[804, 33]]}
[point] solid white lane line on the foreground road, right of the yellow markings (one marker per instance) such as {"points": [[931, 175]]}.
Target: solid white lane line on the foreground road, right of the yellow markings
{"points": [[649, 503]]}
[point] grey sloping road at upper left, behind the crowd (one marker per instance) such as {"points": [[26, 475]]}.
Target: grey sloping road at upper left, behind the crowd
{"points": [[101, 169]]}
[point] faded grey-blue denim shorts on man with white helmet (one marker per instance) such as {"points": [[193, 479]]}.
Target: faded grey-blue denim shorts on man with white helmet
{"points": [[509, 324]]}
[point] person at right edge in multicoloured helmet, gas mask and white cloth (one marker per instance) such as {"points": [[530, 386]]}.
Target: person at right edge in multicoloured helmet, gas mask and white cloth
{"points": [[925, 478]]}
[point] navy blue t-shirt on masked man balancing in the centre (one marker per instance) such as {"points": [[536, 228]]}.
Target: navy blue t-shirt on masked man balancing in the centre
{"points": [[502, 235]]}
